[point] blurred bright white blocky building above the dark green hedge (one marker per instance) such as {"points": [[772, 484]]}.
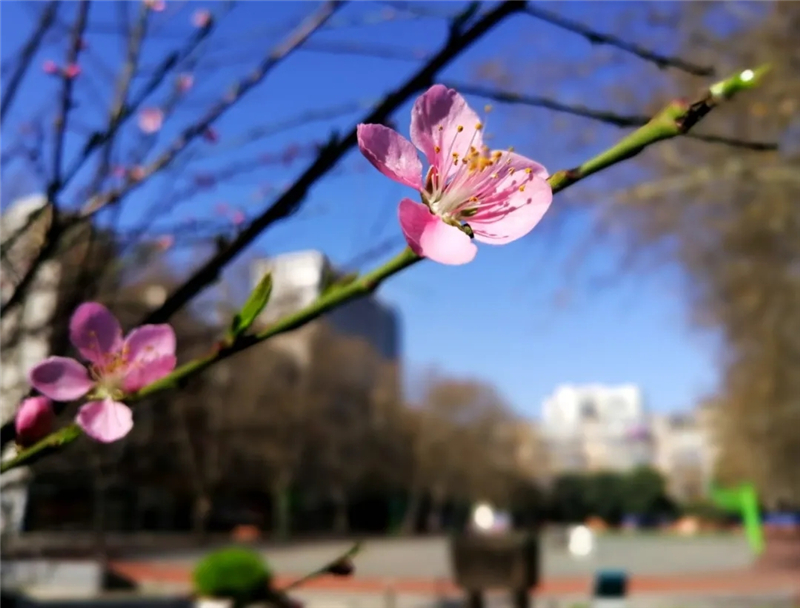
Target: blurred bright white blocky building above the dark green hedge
{"points": [[596, 427]]}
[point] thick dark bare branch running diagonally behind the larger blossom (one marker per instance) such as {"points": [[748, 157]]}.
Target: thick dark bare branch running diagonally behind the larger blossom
{"points": [[289, 202]]}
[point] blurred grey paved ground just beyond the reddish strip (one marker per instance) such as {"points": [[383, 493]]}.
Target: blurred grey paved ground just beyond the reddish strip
{"points": [[428, 558]]}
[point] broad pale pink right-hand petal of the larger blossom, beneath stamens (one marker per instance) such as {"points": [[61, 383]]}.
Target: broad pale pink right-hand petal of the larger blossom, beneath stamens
{"points": [[515, 215]]}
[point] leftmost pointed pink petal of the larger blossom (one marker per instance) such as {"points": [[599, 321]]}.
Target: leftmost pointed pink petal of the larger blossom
{"points": [[391, 154]]}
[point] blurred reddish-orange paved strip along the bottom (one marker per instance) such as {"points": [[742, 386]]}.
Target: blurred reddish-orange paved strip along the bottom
{"points": [[743, 582]]}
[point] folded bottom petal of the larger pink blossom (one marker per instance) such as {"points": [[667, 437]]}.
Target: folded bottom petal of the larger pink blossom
{"points": [[430, 237]]}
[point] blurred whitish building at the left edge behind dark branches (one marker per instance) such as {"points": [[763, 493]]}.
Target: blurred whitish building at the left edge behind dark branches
{"points": [[25, 335]]}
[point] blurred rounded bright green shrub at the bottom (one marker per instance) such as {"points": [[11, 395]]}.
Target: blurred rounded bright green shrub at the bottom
{"points": [[236, 573]]}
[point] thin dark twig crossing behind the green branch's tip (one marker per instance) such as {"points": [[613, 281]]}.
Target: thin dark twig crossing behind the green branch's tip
{"points": [[611, 118]]}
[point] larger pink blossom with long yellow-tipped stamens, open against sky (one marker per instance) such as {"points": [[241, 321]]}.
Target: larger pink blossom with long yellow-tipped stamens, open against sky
{"points": [[469, 192]]}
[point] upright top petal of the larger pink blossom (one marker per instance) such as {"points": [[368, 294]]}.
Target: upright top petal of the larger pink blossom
{"points": [[435, 120]]}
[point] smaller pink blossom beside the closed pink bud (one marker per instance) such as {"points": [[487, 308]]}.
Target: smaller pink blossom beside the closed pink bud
{"points": [[116, 366]]}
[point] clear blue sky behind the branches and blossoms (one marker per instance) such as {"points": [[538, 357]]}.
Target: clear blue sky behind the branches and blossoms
{"points": [[495, 318]]}
